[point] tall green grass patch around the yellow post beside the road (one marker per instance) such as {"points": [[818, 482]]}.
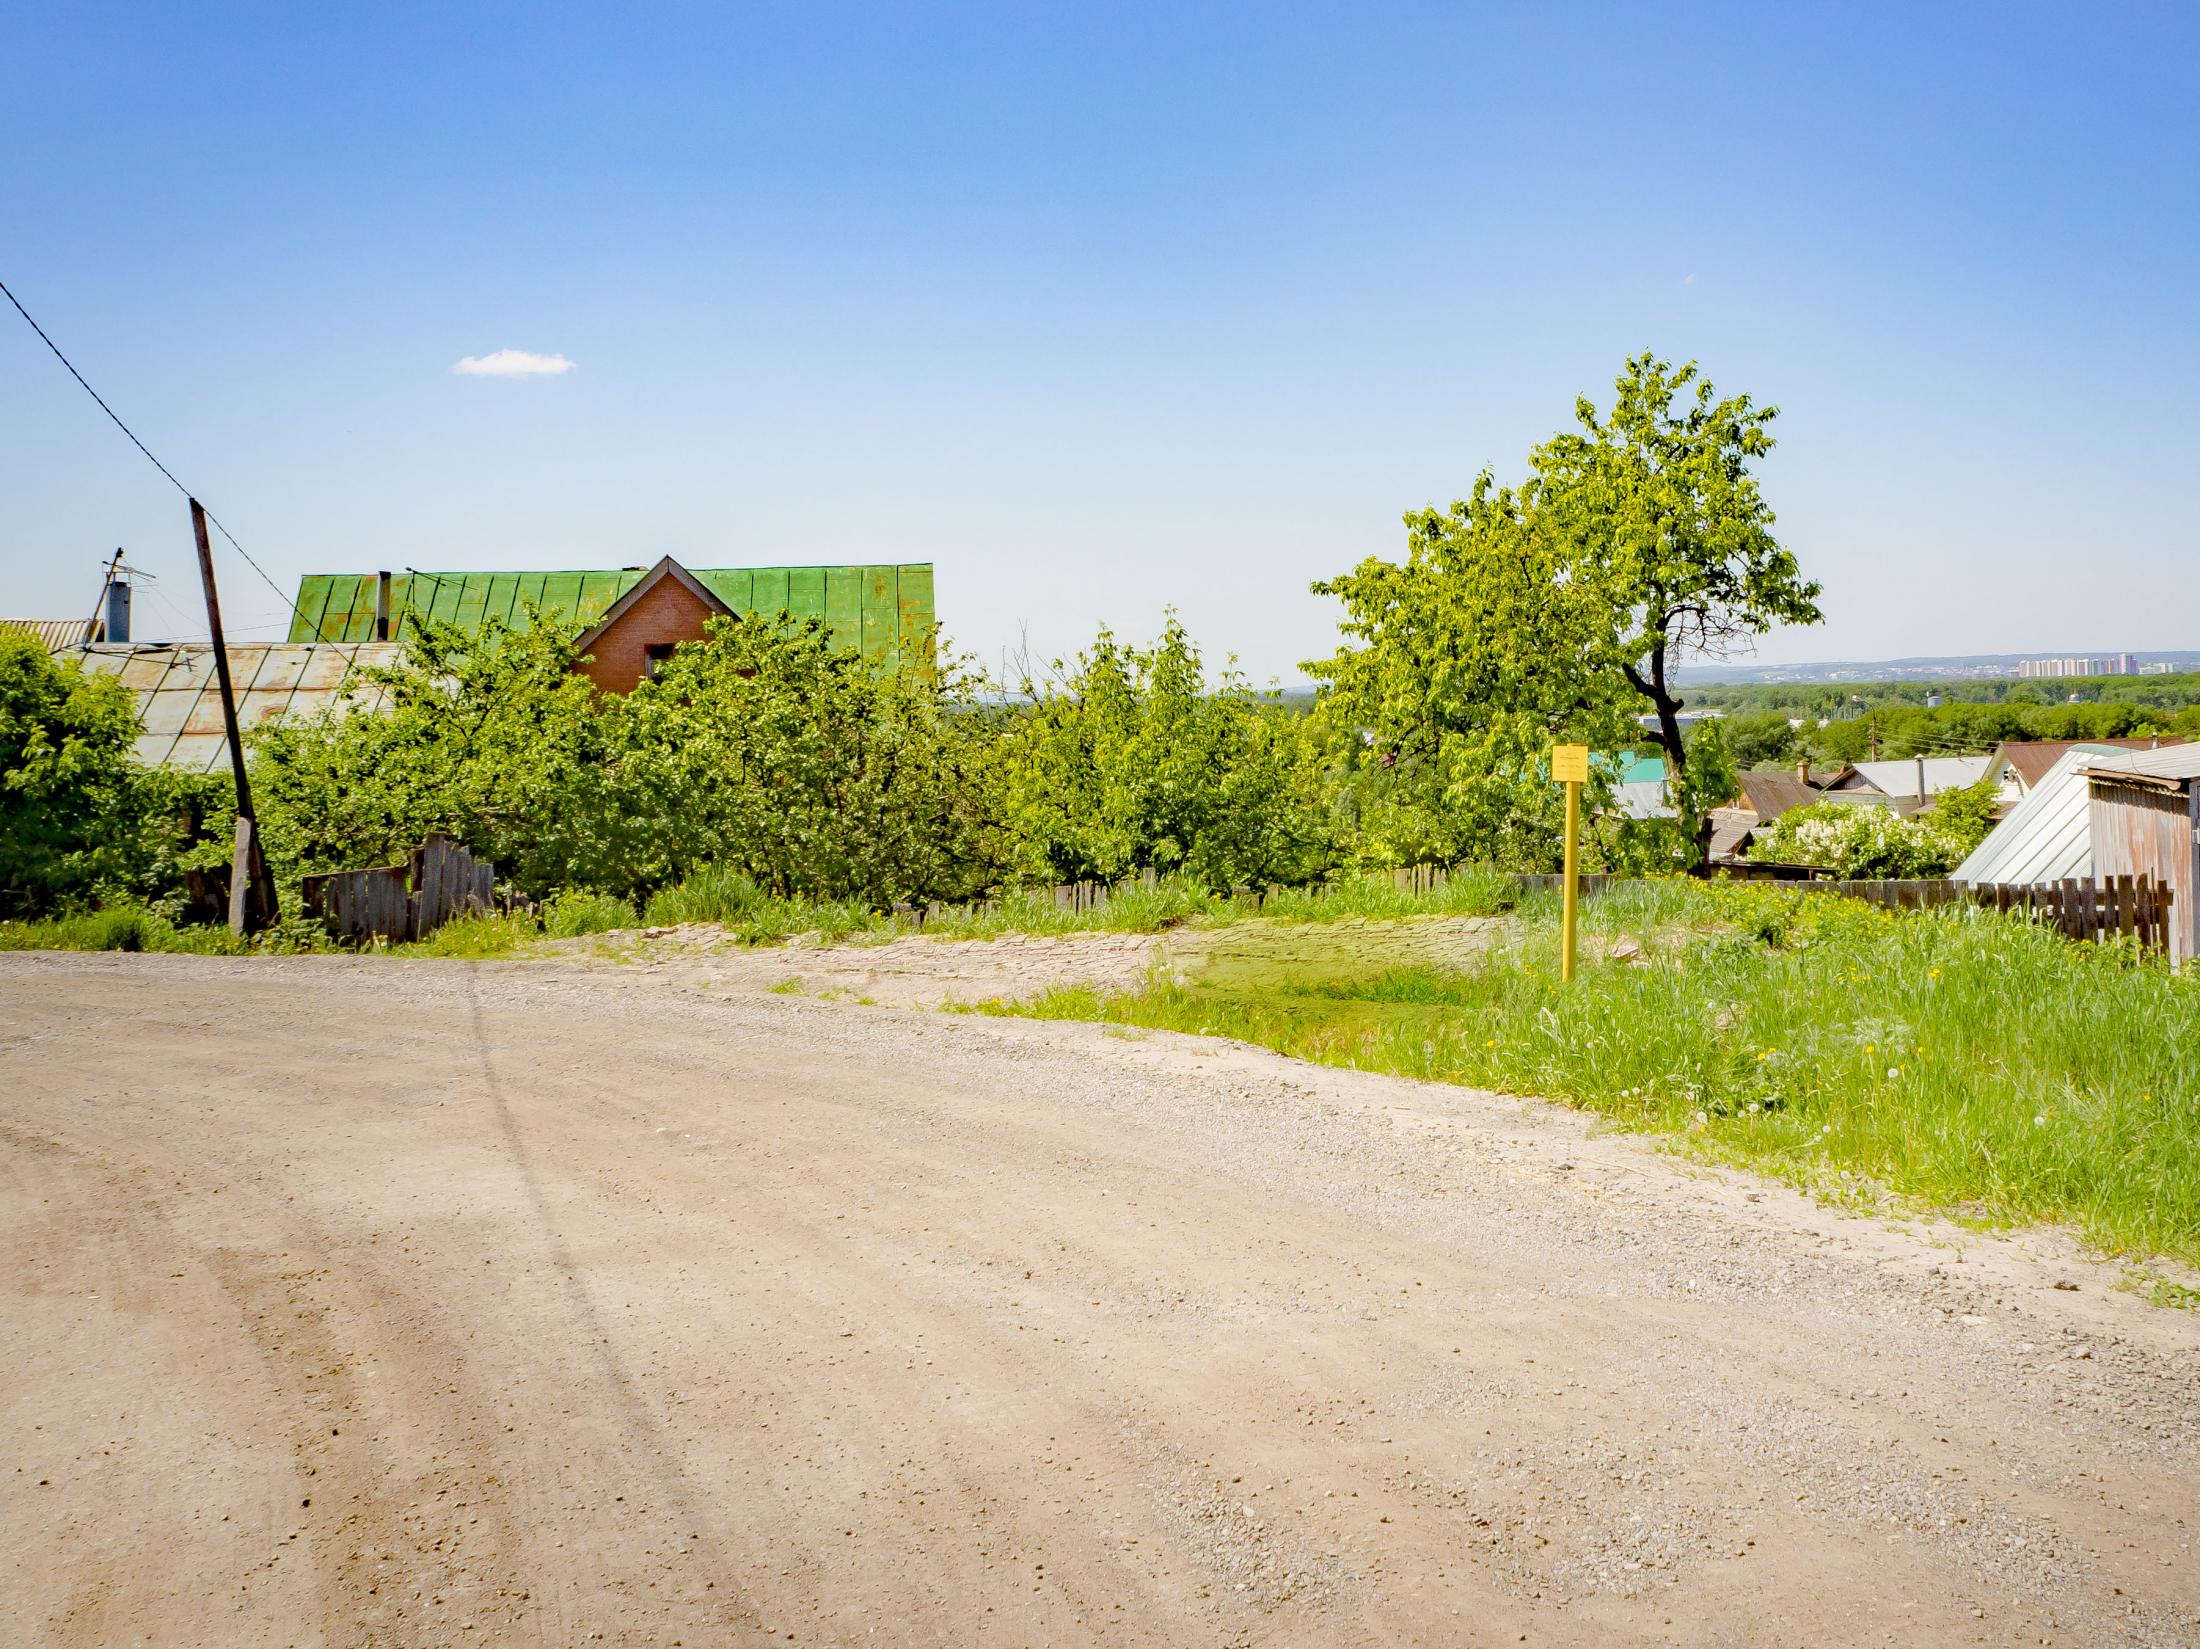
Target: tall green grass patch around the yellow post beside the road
{"points": [[1959, 1059]]}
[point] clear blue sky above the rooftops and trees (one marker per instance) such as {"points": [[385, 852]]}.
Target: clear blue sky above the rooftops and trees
{"points": [[1101, 309]]}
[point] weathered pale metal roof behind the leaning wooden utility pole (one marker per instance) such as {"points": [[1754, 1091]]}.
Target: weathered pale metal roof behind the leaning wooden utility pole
{"points": [[181, 705]]}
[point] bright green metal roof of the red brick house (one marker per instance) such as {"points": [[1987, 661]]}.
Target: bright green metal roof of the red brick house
{"points": [[883, 612]]}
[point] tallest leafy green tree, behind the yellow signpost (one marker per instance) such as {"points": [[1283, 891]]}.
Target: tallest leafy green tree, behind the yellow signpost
{"points": [[1563, 608]]}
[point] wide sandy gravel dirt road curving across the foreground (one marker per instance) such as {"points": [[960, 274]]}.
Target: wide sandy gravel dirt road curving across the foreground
{"points": [[430, 1305]]}
